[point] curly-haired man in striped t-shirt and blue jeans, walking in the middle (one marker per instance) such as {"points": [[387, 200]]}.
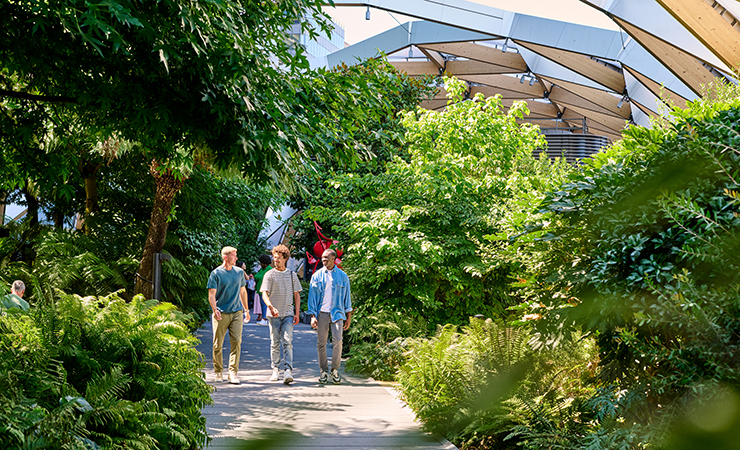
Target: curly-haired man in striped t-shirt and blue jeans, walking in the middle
{"points": [[281, 293]]}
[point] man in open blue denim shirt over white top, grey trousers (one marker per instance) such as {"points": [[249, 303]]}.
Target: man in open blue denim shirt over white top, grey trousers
{"points": [[330, 307]]}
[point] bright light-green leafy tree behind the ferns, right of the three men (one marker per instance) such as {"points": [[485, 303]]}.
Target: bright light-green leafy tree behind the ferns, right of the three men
{"points": [[420, 237]]}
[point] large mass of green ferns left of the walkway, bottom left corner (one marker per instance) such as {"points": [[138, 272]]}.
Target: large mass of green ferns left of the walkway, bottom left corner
{"points": [[79, 372]]}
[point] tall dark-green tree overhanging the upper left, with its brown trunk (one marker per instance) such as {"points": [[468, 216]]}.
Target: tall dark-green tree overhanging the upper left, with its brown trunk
{"points": [[215, 80]]}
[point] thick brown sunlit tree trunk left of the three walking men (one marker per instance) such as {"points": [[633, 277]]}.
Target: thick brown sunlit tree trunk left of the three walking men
{"points": [[167, 185]]}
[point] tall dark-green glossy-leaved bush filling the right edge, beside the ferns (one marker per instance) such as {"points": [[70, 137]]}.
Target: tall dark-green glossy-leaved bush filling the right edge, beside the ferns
{"points": [[643, 253]]}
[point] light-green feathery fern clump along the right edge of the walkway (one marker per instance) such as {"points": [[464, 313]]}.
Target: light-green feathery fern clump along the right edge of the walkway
{"points": [[477, 386]]}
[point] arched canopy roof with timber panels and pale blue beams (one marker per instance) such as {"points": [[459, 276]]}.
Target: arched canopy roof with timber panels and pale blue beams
{"points": [[584, 79]]}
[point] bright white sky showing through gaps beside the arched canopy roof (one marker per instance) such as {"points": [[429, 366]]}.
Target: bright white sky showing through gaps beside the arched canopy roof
{"points": [[358, 29]]}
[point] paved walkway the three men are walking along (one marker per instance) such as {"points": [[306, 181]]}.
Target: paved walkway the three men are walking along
{"points": [[360, 413]]}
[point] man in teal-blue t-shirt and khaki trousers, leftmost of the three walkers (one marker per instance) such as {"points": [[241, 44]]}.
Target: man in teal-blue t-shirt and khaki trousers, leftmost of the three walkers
{"points": [[227, 295]]}
